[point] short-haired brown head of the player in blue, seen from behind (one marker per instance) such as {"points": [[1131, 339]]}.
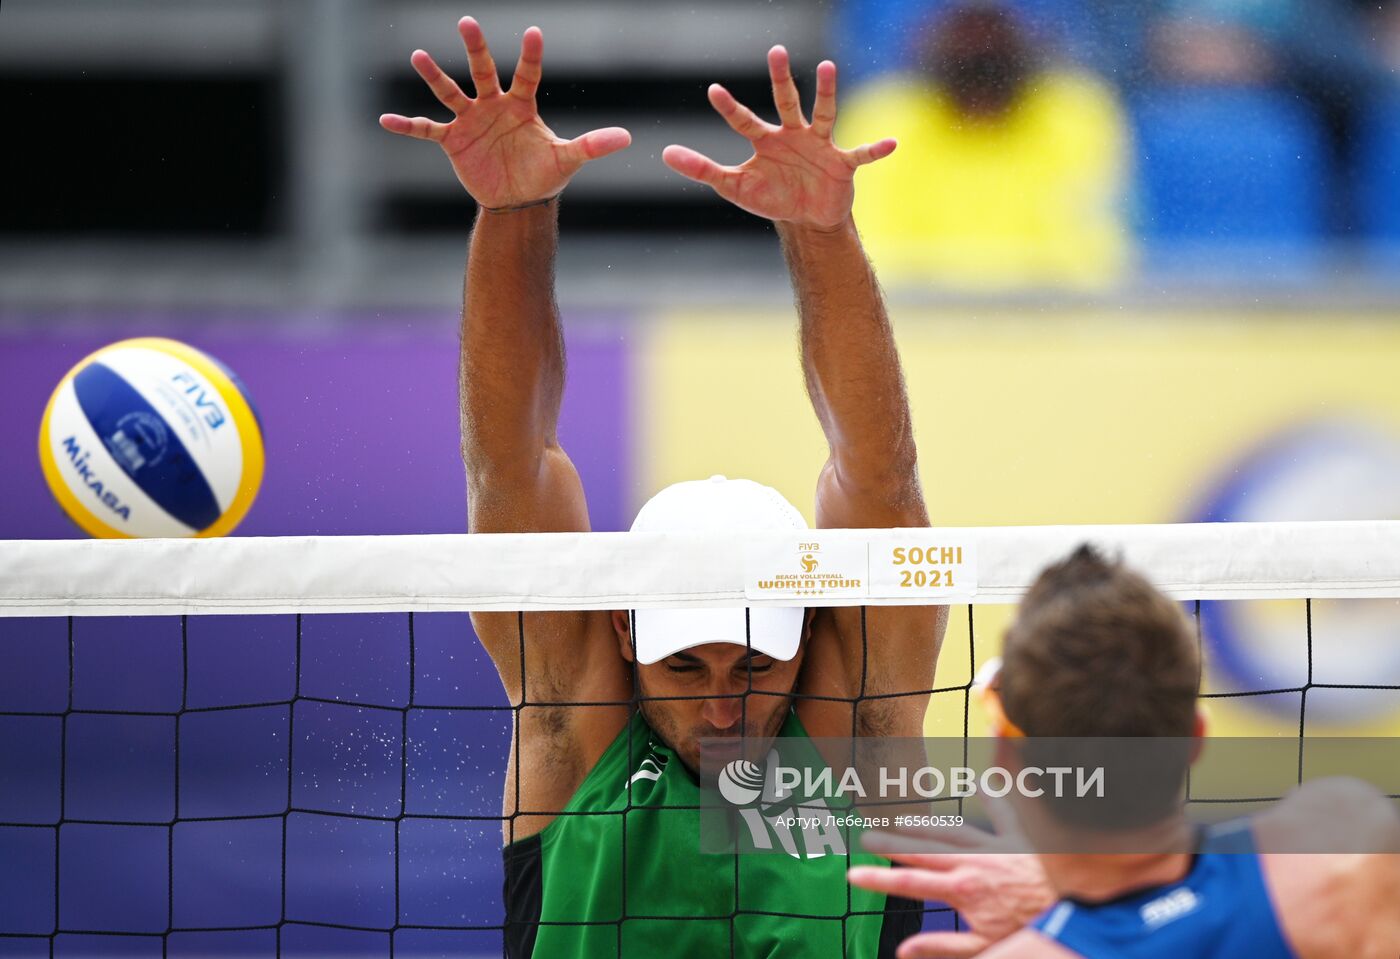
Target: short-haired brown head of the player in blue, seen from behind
{"points": [[1095, 661]]}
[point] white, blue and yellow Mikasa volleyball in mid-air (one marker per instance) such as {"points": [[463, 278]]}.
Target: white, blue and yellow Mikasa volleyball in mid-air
{"points": [[152, 437]]}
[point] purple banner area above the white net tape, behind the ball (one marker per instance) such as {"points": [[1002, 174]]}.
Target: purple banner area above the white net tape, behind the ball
{"points": [[360, 423]]}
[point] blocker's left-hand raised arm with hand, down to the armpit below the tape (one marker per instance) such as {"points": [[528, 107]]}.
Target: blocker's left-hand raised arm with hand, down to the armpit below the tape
{"points": [[512, 384]]}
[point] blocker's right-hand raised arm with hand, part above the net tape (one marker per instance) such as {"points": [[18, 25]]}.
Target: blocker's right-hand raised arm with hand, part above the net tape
{"points": [[804, 183]]}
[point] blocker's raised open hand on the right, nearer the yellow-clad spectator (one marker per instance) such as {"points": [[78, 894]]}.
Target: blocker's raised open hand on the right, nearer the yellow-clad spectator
{"points": [[797, 174]]}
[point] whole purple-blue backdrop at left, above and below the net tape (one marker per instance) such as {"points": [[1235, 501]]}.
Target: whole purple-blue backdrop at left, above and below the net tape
{"points": [[362, 437]]}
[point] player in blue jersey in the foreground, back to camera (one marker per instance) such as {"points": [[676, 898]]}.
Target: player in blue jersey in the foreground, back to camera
{"points": [[1097, 652]]}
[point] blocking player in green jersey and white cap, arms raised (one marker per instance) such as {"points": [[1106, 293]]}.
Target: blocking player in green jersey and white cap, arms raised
{"points": [[664, 680]]}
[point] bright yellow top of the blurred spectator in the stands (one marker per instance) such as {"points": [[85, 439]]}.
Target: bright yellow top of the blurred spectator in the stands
{"points": [[1034, 198]]}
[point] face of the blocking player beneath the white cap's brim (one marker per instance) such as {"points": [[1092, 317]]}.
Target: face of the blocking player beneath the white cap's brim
{"points": [[717, 699]]}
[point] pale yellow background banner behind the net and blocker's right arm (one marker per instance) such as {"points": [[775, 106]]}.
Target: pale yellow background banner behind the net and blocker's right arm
{"points": [[1055, 418]]}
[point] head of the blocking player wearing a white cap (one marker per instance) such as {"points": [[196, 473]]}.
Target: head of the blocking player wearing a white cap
{"points": [[720, 674]]}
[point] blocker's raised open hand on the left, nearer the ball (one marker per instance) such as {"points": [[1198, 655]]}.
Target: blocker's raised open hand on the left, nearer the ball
{"points": [[502, 152]]}
